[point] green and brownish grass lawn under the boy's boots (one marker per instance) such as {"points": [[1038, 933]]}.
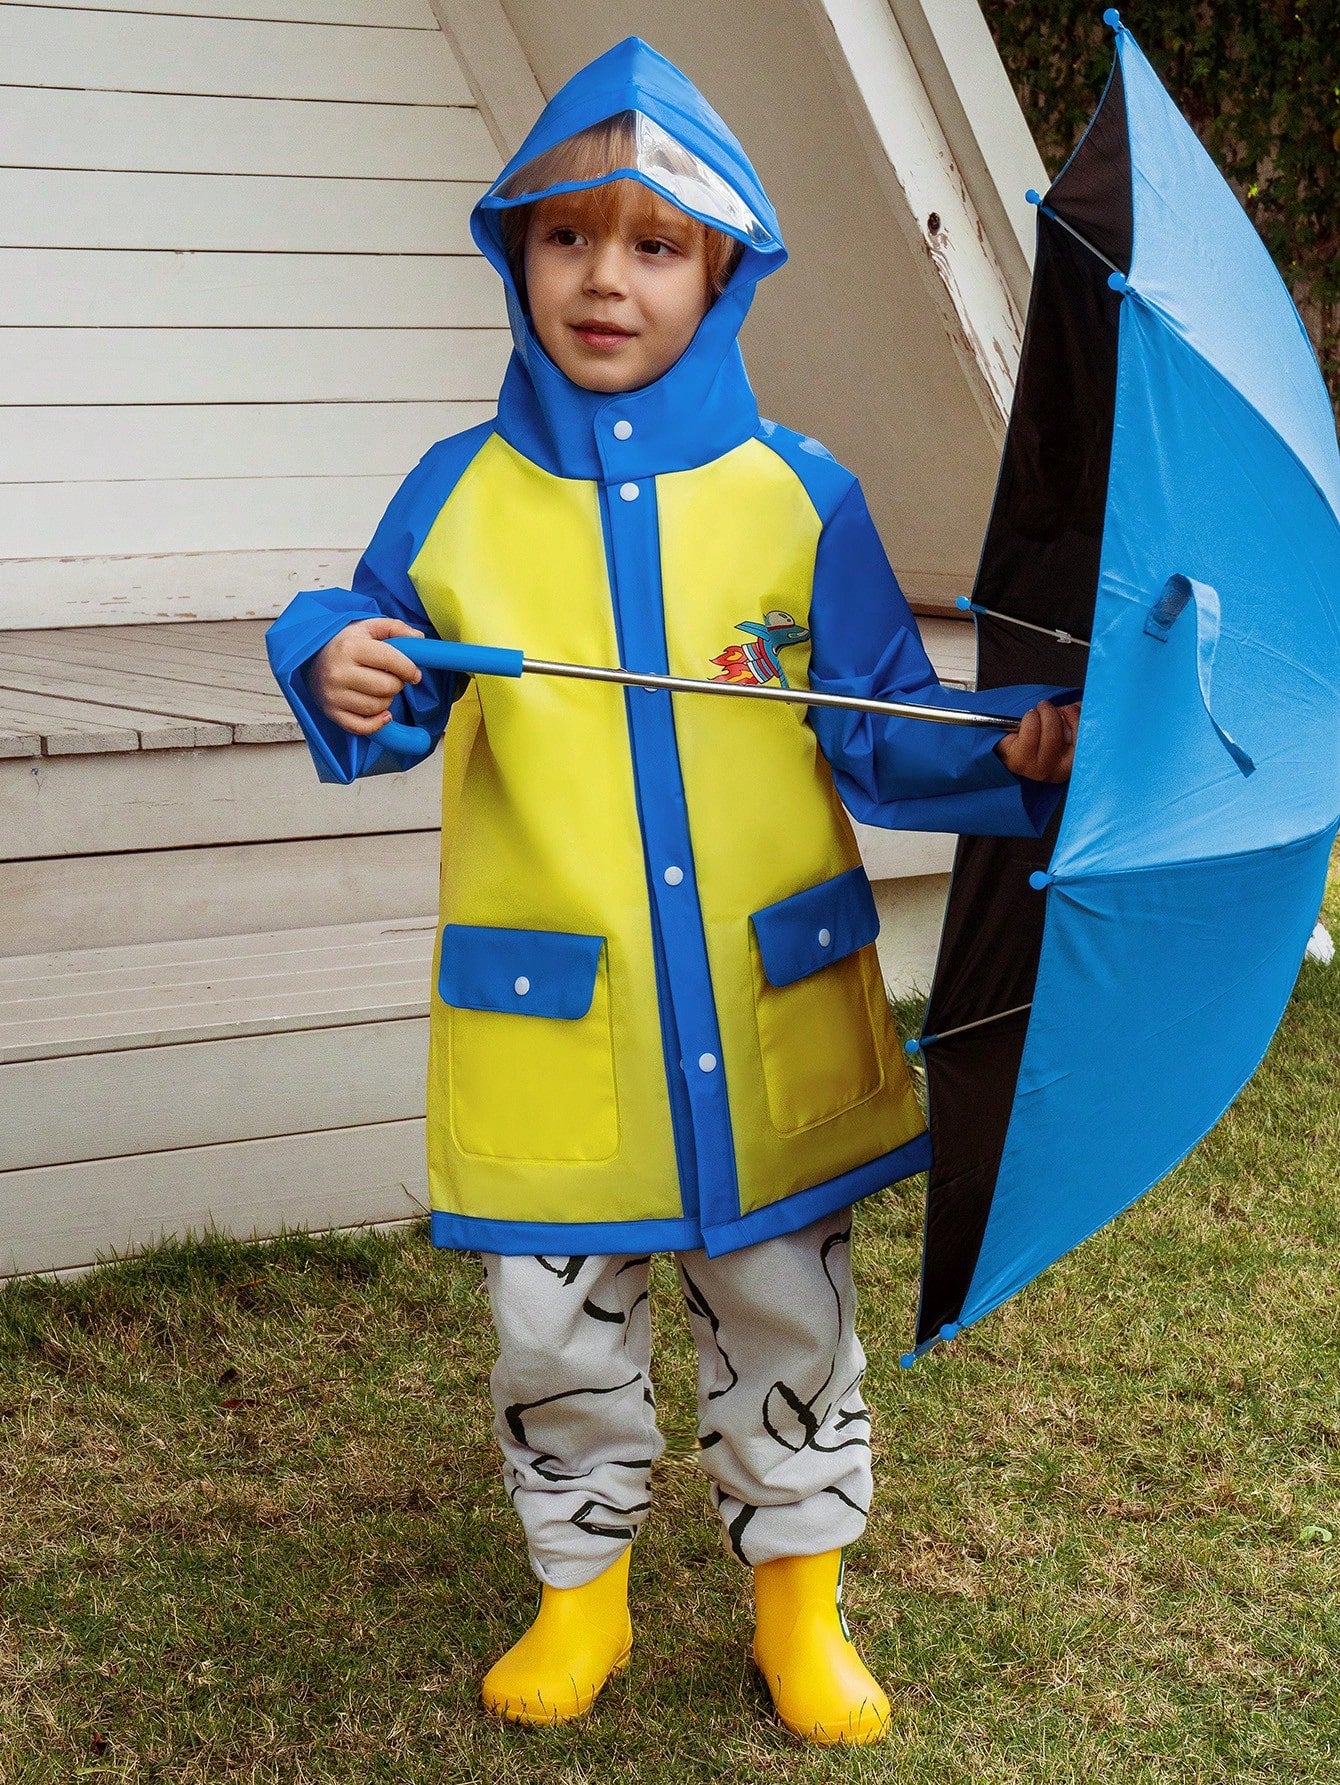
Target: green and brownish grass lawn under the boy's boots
{"points": [[252, 1525]]}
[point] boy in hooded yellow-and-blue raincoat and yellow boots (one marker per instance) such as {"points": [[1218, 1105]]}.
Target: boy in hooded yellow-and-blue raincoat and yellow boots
{"points": [[659, 1017]]}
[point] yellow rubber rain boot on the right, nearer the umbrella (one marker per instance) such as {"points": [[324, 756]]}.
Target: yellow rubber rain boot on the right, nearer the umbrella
{"points": [[820, 1686]]}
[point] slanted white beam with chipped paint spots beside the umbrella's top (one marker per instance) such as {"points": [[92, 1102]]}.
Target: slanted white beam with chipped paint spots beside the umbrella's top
{"points": [[916, 163]]}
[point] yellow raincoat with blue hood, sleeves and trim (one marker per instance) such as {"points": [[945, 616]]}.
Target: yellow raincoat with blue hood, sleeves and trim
{"points": [[658, 1017]]}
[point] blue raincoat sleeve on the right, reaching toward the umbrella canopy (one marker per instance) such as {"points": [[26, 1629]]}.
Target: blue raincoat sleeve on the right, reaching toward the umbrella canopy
{"points": [[906, 774]]}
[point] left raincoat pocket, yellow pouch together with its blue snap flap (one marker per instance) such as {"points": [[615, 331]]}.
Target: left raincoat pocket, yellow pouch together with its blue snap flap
{"points": [[531, 1049]]}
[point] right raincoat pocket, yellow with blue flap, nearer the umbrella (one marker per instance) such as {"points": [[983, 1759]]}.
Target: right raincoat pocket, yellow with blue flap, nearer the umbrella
{"points": [[816, 990]]}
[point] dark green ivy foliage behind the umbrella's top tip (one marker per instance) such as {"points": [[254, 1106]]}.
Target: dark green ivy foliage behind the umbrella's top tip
{"points": [[1261, 87]]}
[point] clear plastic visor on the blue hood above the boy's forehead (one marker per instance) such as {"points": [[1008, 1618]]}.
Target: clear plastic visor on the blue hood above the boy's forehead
{"points": [[650, 154]]}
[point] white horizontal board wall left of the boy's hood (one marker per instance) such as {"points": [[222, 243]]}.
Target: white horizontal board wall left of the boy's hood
{"points": [[238, 294]]}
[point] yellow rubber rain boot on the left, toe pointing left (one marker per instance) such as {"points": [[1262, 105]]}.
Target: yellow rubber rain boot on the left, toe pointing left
{"points": [[579, 1640]]}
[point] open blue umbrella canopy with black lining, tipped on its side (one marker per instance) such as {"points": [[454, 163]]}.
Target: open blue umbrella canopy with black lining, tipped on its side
{"points": [[1166, 531]]}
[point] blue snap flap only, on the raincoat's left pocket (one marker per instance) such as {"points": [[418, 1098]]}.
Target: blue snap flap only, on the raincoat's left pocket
{"points": [[525, 972]]}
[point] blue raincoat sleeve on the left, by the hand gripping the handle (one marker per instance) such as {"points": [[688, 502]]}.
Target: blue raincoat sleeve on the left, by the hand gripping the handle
{"points": [[381, 586]]}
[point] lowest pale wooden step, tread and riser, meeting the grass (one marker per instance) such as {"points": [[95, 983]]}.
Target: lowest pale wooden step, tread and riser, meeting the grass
{"points": [[238, 1083]]}
